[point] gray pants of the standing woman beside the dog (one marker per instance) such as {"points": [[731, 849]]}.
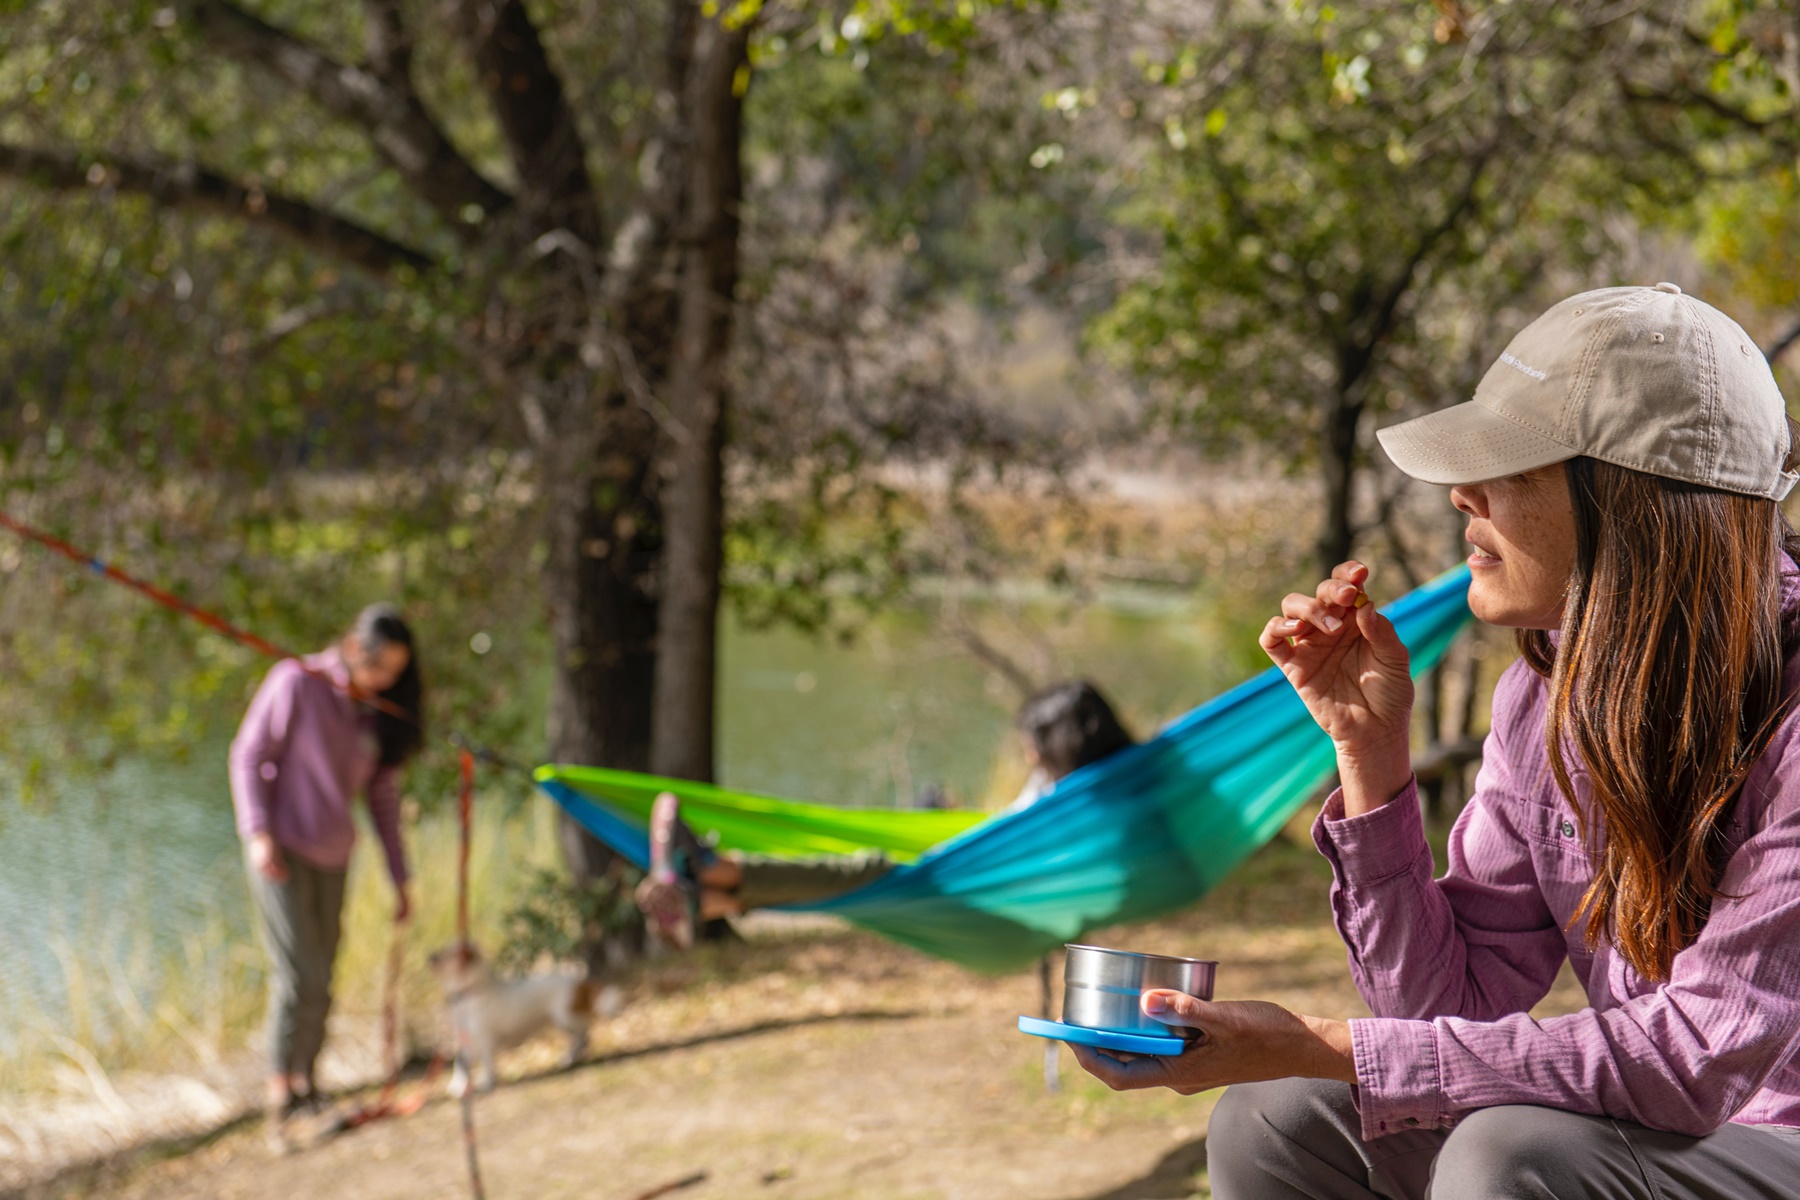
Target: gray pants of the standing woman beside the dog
{"points": [[300, 922]]}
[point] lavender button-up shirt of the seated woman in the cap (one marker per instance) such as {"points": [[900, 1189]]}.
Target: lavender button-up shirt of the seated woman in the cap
{"points": [[1452, 967]]}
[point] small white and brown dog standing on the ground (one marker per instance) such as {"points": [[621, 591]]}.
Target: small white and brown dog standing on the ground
{"points": [[490, 1016]]}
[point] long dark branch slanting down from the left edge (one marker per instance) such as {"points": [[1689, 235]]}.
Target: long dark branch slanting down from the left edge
{"points": [[193, 188]]}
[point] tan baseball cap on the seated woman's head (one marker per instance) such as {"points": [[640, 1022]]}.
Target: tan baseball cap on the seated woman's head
{"points": [[1637, 377]]}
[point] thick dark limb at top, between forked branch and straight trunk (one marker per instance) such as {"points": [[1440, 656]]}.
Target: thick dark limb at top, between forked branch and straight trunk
{"points": [[528, 98]]}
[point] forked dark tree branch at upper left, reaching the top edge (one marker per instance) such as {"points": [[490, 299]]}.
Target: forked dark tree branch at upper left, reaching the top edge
{"points": [[379, 98]]}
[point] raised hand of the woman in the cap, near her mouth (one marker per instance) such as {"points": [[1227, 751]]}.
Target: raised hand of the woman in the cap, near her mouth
{"points": [[1354, 676]]}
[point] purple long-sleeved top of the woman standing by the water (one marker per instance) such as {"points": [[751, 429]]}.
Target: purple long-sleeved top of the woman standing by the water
{"points": [[301, 757]]}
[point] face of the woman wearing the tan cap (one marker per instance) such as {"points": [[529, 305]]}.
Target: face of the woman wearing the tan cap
{"points": [[1524, 535]]}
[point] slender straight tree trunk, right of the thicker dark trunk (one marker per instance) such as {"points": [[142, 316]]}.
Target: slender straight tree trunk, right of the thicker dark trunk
{"points": [[697, 402]]}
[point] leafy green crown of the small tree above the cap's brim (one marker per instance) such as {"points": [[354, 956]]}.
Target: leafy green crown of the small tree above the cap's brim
{"points": [[1317, 163]]}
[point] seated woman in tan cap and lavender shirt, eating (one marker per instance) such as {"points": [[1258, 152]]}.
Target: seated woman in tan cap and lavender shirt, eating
{"points": [[1637, 814]]}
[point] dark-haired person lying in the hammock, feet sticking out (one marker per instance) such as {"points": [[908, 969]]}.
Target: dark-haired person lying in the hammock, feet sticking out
{"points": [[1063, 728]]}
